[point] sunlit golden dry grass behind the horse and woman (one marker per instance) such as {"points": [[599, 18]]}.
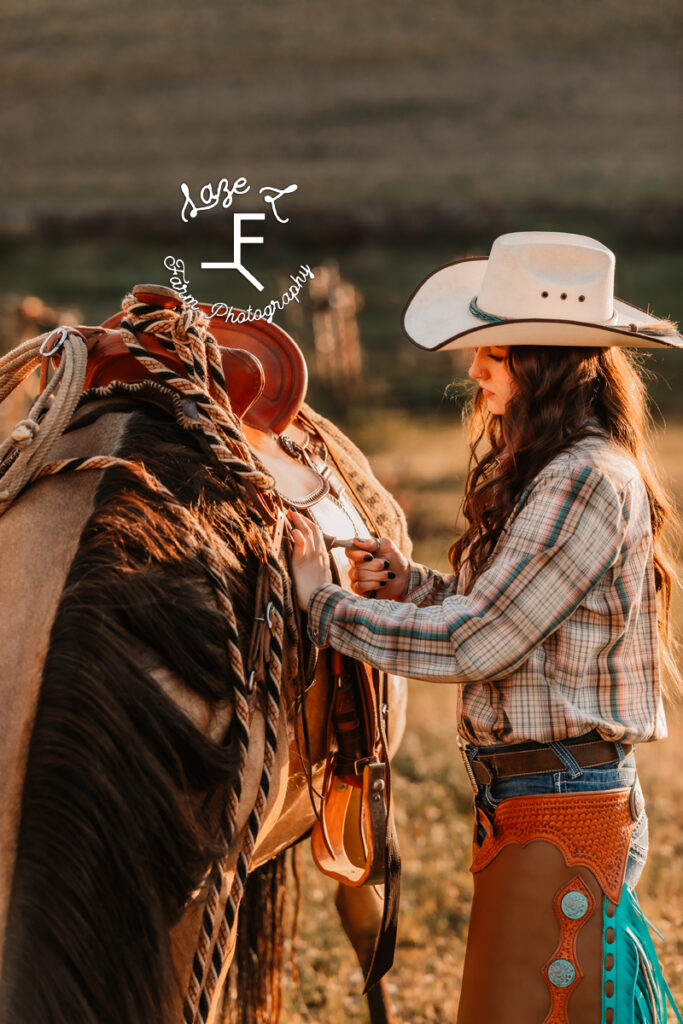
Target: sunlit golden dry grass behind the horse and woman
{"points": [[423, 463]]}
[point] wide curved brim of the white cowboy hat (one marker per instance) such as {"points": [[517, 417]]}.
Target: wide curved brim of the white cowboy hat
{"points": [[438, 318]]}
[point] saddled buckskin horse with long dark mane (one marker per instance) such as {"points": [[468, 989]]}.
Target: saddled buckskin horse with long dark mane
{"points": [[165, 721]]}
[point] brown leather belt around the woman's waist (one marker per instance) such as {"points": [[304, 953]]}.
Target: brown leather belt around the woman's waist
{"points": [[507, 764]]}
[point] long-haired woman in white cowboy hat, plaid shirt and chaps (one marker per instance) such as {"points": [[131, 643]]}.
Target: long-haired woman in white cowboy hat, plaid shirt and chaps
{"points": [[554, 625]]}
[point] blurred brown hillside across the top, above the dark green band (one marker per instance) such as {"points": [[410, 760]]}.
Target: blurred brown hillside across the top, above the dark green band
{"points": [[391, 104]]}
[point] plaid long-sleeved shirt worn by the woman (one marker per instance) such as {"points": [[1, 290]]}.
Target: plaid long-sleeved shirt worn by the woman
{"points": [[559, 635]]}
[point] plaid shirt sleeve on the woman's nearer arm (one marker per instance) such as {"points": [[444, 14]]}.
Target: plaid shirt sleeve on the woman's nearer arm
{"points": [[567, 533]]}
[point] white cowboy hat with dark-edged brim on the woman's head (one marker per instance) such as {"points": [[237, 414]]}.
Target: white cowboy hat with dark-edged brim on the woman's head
{"points": [[537, 288]]}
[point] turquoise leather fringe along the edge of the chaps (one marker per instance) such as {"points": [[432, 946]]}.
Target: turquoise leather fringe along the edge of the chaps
{"points": [[641, 994]]}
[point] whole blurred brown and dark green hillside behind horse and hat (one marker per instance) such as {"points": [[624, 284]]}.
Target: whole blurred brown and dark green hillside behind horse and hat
{"points": [[415, 134]]}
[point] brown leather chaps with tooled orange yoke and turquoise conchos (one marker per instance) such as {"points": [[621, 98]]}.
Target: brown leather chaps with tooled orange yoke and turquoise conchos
{"points": [[548, 878]]}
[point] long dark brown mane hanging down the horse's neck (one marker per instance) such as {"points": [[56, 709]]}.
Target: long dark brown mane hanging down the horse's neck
{"points": [[121, 815]]}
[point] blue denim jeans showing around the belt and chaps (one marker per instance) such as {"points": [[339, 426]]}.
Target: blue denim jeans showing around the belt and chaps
{"points": [[573, 779]]}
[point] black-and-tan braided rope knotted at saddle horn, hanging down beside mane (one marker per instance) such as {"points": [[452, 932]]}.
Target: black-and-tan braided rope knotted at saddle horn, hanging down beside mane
{"points": [[186, 333]]}
